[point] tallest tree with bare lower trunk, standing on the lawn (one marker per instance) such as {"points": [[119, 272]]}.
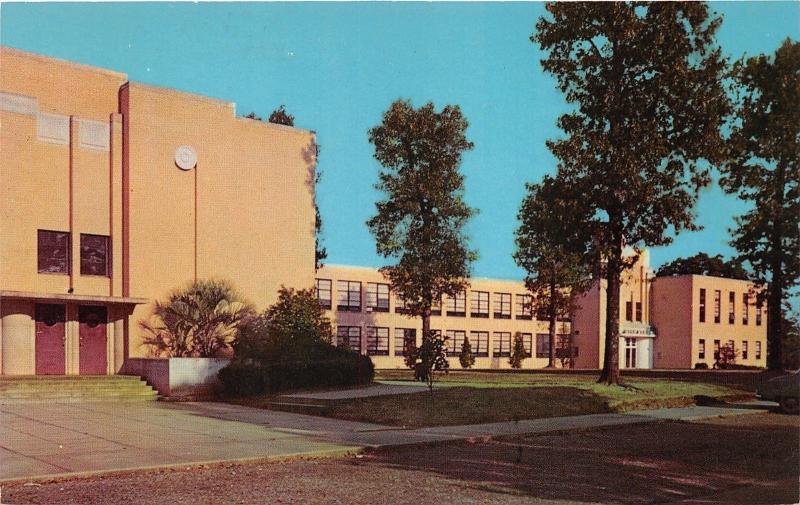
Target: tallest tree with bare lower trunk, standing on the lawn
{"points": [[645, 81]]}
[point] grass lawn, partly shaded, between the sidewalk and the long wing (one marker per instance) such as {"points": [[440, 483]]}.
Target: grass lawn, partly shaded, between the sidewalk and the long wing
{"points": [[474, 397]]}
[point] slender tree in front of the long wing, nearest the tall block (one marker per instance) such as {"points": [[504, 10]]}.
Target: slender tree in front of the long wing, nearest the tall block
{"points": [[420, 223]]}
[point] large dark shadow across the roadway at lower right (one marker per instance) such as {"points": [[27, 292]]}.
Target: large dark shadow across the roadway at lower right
{"points": [[748, 461]]}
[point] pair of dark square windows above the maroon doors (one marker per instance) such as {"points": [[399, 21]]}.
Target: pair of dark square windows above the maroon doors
{"points": [[54, 252]]}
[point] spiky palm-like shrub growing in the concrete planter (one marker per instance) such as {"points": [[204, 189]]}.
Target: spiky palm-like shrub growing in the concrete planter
{"points": [[198, 320]]}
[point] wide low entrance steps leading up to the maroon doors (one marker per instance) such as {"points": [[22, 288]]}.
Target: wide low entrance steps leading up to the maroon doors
{"points": [[73, 388]]}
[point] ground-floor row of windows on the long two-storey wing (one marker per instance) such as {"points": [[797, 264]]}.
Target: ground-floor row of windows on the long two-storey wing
{"points": [[377, 342]]}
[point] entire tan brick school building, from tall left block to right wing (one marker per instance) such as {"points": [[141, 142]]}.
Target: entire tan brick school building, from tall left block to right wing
{"points": [[117, 192]]}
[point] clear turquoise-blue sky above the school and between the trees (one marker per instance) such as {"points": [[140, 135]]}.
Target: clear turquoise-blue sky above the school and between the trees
{"points": [[338, 66]]}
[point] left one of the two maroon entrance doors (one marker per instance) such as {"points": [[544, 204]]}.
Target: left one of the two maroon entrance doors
{"points": [[50, 339]]}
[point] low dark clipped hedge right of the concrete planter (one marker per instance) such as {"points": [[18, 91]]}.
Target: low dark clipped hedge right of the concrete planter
{"points": [[248, 379]]}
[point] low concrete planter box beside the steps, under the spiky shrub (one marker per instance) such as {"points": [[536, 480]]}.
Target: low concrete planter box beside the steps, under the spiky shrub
{"points": [[171, 376]]}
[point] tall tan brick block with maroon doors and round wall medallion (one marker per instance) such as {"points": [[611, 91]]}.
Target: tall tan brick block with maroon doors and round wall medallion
{"points": [[116, 192]]}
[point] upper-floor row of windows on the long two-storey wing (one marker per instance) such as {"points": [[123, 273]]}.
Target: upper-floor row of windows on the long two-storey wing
{"points": [[348, 299]]}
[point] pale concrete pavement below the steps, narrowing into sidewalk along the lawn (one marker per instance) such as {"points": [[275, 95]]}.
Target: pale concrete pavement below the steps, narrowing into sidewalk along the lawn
{"points": [[46, 440]]}
